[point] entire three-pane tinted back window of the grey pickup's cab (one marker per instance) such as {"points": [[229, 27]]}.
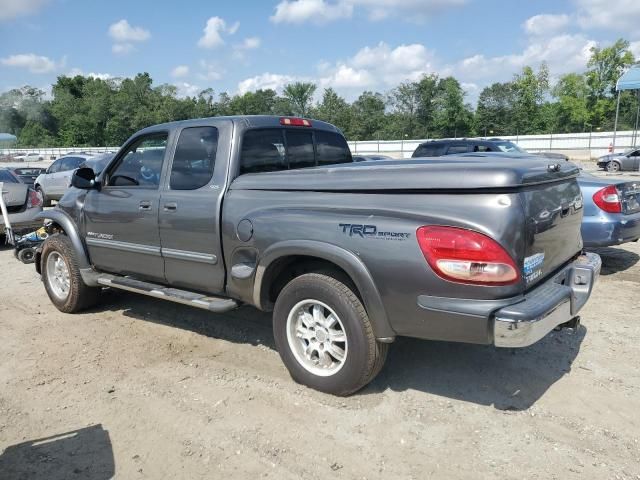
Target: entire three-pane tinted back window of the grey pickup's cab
{"points": [[275, 149]]}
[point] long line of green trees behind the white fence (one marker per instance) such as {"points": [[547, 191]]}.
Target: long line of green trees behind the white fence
{"points": [[88, 111]]}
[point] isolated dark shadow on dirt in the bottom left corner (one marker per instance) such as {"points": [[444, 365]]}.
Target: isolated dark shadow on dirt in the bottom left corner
{"points": [[84, 454]]}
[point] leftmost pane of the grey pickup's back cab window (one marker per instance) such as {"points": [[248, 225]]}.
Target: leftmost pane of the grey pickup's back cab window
{"points": [[262, 151]]}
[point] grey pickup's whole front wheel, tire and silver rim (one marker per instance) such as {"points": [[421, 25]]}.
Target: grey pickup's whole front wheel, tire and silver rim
{"points": [[77, 295]]}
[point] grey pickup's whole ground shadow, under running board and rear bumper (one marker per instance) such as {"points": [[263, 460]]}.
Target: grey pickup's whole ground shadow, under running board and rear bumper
{"points": [[508, 379]]}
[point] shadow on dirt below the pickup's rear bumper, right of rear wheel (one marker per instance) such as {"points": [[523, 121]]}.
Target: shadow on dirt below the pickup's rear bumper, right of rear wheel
{"points": [[508, 379]]}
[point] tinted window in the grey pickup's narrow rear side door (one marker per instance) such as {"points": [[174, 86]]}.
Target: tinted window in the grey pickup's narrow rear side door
{"points": [[195, 158]]}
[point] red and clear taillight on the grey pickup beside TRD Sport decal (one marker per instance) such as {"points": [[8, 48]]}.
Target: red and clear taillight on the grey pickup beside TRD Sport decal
{"points": [[465, 256]]}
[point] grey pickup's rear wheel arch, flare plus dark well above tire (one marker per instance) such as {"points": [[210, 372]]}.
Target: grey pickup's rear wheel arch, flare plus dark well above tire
{"points": [[280, 260]]}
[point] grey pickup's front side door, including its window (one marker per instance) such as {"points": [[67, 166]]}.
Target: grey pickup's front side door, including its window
{"points": [[121, 219]]}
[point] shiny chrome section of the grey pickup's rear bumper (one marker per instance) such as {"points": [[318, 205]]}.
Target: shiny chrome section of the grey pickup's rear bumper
{"points": [[555, 302]]}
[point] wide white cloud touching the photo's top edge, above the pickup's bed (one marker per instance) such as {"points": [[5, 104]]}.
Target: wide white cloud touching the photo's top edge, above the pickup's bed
{"points": [[322, 11]]}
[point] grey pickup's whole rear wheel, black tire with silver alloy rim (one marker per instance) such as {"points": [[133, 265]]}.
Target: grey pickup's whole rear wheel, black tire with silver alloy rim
{"points": [[363, 356]]}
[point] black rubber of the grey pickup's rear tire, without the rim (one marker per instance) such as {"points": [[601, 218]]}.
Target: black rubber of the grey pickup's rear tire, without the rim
{"points": [[365, 356]]}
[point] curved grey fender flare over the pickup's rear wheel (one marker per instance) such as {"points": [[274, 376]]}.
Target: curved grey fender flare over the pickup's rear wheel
{"points": [[348, 261]]}
